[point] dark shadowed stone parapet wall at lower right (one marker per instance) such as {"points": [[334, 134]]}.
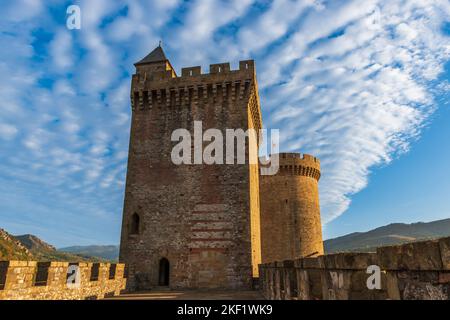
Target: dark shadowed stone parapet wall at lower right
{"points": [[415, 271]]}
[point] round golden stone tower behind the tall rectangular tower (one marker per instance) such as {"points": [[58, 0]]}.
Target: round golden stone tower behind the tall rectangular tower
{"points": [[290, 210]]}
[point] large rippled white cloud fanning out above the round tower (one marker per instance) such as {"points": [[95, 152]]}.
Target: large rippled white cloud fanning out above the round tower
{"points": [[355, 99]]}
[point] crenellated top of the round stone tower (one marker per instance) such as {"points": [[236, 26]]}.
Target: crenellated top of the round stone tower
{"points": [[296, 164]]}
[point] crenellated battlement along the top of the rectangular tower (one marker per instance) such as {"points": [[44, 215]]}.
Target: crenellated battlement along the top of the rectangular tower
{"points": [[155, 86]]}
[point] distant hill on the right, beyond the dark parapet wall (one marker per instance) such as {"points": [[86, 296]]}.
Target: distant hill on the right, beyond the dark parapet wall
{"points": [[395, 233]]}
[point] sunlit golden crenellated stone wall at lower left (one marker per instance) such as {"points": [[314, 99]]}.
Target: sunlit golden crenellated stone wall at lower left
{"points": [[21, 280]]}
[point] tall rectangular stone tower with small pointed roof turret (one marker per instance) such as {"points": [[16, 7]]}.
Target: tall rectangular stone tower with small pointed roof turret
{"points": [[190, 225]]}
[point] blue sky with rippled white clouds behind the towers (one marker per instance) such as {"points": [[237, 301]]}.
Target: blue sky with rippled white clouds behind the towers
{"points": [[363, 87]]}
